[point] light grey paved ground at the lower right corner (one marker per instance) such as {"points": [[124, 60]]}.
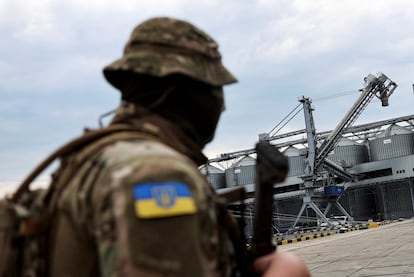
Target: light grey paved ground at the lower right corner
{"points": [[386, 250]]}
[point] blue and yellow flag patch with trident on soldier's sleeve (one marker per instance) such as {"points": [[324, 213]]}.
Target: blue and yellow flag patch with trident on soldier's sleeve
{"points": [[163, 199]]}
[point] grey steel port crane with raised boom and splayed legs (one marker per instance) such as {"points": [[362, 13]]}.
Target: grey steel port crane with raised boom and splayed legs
{"points": [[318, 166]]}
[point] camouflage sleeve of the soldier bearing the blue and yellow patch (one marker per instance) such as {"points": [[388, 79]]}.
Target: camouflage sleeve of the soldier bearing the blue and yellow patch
{"points": [[155, 215]]}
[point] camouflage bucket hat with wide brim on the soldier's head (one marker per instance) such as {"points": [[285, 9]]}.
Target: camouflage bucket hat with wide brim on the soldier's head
{"points": [[164, 46]]}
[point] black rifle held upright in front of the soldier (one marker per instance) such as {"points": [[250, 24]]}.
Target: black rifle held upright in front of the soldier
{"points": [[271, 168]]}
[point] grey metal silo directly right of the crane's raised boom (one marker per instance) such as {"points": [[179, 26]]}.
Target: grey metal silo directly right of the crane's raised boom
{"points": [[349, 153]]}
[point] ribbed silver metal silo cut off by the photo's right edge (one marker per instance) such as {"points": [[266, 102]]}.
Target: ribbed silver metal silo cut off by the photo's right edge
{"points": [[394, 142]]}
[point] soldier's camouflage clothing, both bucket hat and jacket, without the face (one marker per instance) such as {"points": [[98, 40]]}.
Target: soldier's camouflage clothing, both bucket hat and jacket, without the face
{"points": [[134, 203]]}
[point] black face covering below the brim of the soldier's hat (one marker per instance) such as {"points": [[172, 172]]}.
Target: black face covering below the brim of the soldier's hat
{"points": [[191, 105]]}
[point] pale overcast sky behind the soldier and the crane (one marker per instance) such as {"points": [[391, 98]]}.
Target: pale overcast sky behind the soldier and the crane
{"points": [[52, 54]]}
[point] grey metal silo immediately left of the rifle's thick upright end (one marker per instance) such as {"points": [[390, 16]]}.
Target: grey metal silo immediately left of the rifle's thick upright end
{"points": [[243, 172]]}
